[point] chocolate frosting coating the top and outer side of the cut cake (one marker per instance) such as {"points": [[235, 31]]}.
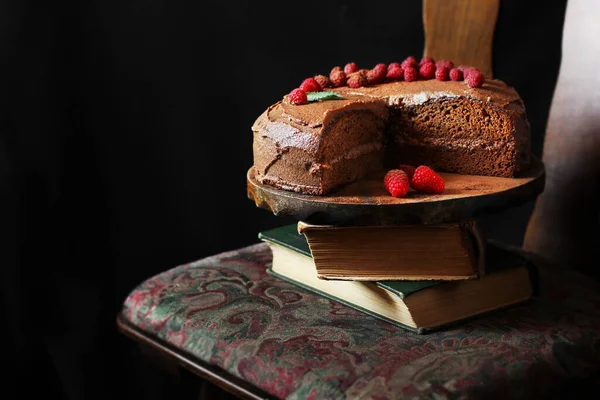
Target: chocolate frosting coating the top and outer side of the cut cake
{"points": [[284, 126]]}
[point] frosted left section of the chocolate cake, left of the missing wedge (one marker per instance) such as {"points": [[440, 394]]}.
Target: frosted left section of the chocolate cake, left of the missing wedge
{"points": [[318, 147]]}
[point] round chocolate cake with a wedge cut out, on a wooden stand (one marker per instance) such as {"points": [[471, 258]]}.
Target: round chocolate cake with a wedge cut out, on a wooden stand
{"points": [[317, 147]]}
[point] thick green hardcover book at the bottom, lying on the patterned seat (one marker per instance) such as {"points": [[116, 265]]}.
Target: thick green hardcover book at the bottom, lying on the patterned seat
{"points": [[418, 306]]}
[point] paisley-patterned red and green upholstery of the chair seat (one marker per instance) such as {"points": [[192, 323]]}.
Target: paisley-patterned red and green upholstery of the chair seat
{"points": [[227, 311]]}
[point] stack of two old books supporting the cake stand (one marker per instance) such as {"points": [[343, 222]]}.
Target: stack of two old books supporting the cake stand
{"points": [[417, 277]]}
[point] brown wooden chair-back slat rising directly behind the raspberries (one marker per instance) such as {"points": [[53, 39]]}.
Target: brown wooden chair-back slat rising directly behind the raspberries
{"points": [[461, 31]]}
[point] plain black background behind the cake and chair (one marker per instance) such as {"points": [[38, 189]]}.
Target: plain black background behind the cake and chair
{"points": [[125, 140]]}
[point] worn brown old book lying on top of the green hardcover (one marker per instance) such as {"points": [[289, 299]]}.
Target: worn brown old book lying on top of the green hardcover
{"points": [[453, 251]]}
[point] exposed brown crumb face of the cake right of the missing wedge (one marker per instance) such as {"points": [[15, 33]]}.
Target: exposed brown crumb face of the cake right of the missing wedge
{"points": [[454, 134]]}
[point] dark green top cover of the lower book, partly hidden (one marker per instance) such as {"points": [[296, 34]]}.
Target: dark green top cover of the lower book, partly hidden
{"points": [[289, 237]]}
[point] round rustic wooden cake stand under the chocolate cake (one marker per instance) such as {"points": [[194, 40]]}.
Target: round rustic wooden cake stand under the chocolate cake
{"points": [[367, 202]]}
